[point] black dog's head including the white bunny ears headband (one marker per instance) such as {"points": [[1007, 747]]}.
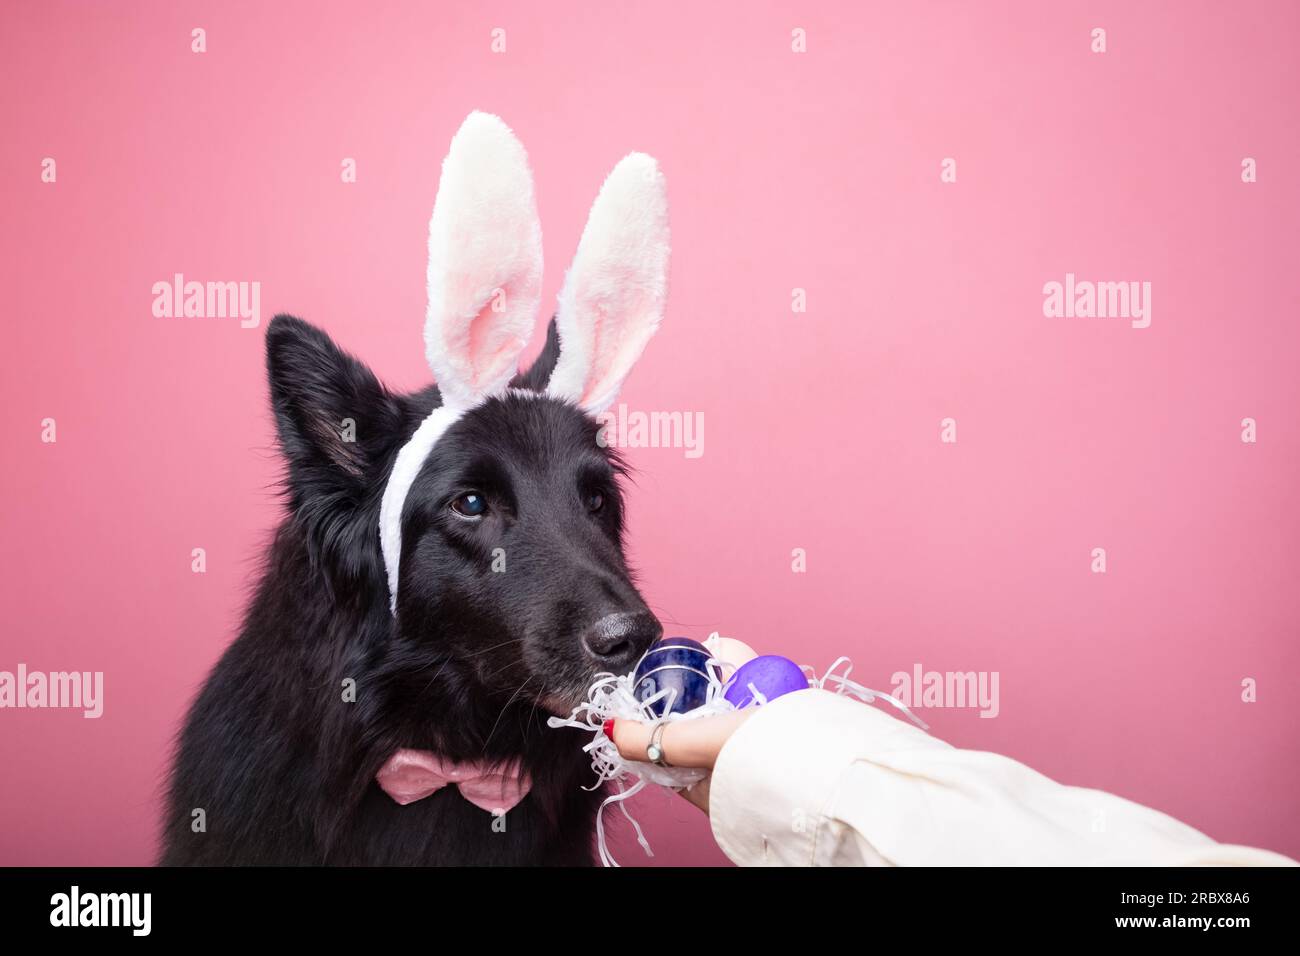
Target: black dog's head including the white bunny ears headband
{"points": [[486, 516]]}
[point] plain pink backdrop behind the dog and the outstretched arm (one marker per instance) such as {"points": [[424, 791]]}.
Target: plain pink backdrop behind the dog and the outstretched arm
{"points": [[816, 171]]}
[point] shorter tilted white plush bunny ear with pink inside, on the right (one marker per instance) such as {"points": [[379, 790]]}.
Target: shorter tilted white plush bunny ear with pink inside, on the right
{"points": [[614, 295]]}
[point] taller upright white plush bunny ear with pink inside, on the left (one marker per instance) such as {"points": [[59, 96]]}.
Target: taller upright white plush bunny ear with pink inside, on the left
{"points": [[486, 263]]}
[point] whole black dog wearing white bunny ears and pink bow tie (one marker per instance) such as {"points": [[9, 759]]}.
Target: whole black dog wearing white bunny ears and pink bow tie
{"points": [[445, 579]]}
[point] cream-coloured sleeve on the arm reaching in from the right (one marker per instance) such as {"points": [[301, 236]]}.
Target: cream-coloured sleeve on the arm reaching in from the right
{"points": [[817, 780]]}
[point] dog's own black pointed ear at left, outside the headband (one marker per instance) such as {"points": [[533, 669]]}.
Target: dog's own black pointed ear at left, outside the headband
{"points": [[337, 425]]}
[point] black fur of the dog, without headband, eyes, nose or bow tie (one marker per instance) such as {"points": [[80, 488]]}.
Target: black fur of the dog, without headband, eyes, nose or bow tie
{"points": [[281, 765]]}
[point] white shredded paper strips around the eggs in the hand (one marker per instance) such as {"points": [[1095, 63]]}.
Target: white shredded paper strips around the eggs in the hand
{"points": [[612, 697]]}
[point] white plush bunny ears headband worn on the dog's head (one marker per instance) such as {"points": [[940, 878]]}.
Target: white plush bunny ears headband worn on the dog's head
{"points": [[486, 276]]}
